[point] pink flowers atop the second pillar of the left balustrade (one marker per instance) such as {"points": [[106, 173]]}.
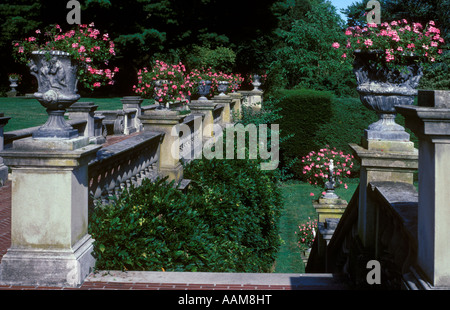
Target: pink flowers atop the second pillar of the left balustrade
{"points": [[173, 85]]}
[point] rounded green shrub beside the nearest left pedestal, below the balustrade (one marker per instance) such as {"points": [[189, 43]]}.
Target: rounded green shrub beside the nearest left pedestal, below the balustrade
{"points": [[151, 227]]}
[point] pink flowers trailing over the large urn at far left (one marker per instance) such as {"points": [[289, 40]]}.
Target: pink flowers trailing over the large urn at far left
{"points": [[85, 44]]}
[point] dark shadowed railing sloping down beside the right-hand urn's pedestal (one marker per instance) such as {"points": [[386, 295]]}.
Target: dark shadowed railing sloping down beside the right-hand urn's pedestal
{"points": [[395, 246]]}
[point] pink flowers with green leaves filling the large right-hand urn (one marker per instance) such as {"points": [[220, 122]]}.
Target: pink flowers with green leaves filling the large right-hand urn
{"points": [[395, 40]]}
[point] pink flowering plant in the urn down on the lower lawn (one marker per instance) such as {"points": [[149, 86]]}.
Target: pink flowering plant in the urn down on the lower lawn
{"points": [[316, 166]]}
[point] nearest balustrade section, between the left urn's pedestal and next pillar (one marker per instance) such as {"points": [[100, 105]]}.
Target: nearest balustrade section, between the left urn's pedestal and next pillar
{"points": [[124, 164]]}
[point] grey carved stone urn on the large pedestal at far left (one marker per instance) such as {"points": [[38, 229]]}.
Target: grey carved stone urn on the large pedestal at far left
{"points": [[56, 73]]}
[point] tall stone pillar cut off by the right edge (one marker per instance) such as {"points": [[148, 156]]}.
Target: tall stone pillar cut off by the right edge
{"points": [[430, 121]]}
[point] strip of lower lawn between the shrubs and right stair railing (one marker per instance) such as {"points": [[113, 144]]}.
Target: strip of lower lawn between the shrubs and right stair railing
{"points": [[297, 209]]}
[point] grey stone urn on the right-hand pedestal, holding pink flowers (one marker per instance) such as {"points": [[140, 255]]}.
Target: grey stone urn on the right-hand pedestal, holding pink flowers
{"points": [[381, 89]]}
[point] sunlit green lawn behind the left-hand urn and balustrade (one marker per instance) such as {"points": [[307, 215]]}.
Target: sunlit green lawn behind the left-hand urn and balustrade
{"points": [[27, 113]]}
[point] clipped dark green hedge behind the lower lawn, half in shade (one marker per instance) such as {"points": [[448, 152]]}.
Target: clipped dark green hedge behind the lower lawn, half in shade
{"points": [[317, 118]]}
